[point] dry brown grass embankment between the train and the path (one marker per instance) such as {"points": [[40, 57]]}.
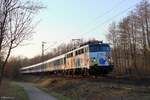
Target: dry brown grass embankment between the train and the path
{"points": [[80, 89]]}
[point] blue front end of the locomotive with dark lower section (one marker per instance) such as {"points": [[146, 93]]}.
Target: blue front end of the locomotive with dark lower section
{"points": [[100, 58]]}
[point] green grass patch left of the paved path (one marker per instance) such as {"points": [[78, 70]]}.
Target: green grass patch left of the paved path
{"points": [[11, 89]]}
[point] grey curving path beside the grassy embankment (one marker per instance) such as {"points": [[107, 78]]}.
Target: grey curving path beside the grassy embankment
{"points": [[35, 93]]}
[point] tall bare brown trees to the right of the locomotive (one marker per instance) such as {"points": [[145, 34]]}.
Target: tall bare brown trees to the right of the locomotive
{"points": [[130, 39]]}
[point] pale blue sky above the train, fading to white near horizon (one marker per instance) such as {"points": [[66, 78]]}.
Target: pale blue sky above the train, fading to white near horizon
{"points": [[64, 20]]}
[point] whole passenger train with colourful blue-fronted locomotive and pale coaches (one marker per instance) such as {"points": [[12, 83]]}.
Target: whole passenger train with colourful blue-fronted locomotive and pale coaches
{"points": [[90, 58]]}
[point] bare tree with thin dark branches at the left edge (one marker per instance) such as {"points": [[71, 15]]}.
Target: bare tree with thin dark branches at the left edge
{"points": [[15, 26]]}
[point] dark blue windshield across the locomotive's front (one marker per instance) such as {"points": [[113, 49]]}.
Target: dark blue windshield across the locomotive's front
{"points": [[99, 48]]}
